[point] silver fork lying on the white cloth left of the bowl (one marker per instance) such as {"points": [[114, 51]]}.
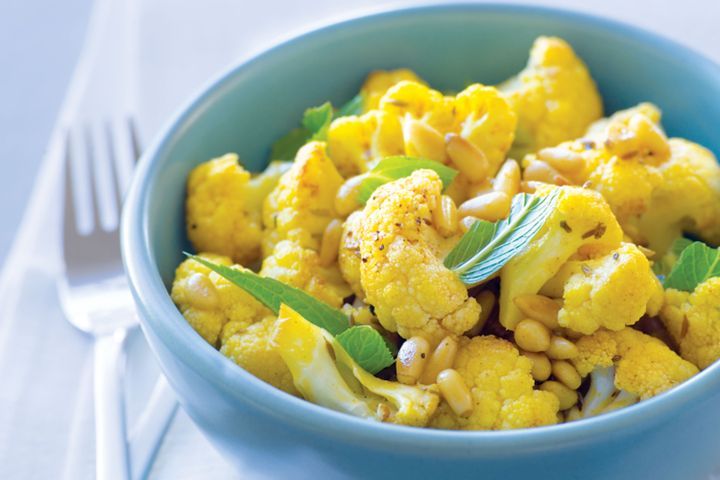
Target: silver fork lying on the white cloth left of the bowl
{"points": [[94, 292]]}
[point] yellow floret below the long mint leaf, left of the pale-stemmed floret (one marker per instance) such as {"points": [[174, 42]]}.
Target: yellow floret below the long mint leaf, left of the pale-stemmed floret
{"points": [[253, 350]]}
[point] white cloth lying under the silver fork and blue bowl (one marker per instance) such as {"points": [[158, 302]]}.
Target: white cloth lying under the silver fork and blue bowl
{"points": [[169, 50]]}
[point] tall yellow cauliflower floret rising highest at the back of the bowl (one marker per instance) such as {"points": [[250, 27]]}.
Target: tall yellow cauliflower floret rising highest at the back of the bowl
{"points": [[554, 97]]}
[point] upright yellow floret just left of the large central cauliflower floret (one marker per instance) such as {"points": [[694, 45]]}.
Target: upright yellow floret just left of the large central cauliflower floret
{"points": [[302, 204]]}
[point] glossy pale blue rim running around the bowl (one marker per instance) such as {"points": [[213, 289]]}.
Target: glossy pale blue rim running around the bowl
{"points": [[159, 314]]}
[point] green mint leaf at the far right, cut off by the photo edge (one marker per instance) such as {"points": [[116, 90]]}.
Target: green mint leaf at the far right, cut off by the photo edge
{"points": [[697, 263]]}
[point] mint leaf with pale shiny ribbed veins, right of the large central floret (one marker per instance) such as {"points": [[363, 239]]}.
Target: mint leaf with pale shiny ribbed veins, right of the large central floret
{"points": [[487, 247]]}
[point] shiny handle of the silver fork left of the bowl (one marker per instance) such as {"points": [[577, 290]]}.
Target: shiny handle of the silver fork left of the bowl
{"points": [[111, 451]]}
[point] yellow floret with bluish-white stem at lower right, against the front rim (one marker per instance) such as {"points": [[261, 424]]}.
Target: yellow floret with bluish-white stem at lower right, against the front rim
{"points": [[627, 365]]}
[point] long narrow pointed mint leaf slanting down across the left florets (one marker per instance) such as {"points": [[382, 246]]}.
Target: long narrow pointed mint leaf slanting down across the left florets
{"points": [[273, 293]]}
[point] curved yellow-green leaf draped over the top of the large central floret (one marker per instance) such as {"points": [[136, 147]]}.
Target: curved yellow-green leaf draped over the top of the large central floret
{"points": [[393, 168]]}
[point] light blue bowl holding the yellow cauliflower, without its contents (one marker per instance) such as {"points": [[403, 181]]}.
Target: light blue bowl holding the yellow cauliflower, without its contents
{"points": [[263, 430]]}
